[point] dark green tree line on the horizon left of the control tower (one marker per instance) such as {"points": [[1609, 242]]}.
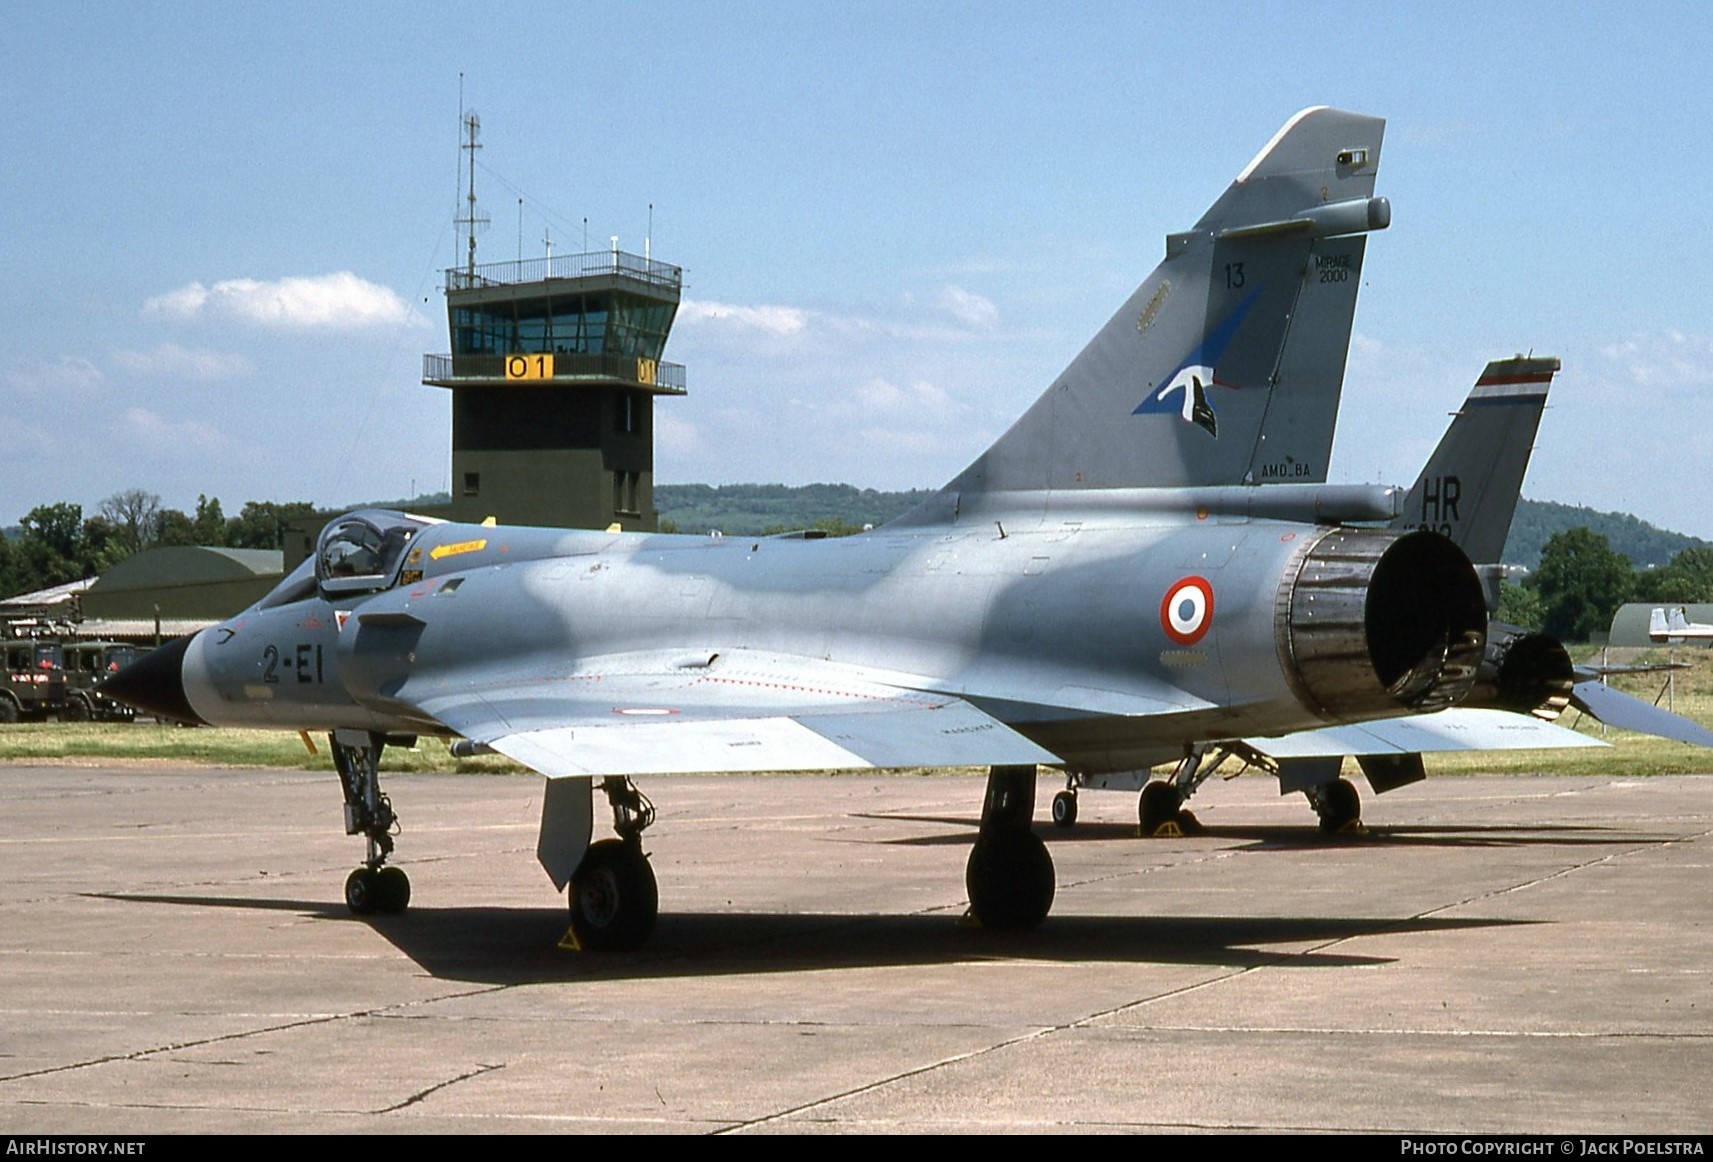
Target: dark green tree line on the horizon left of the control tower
{"points": [[57, 542]]}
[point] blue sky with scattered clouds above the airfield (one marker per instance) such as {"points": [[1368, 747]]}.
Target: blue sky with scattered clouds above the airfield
{"points": [[227, 225]]}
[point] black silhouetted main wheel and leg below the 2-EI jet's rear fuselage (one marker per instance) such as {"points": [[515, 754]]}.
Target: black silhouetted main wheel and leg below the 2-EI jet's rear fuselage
{"points": [[1010, 877]]}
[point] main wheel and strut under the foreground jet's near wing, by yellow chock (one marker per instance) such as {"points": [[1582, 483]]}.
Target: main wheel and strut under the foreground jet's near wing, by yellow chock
{"points": [[614, 897]]}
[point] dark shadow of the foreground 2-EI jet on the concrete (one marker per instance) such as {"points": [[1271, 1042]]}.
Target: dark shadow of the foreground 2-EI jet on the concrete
{"points": [[494, 945]]}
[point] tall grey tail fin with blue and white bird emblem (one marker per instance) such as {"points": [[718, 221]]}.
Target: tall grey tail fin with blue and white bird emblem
{"points": [[1227, 364]]}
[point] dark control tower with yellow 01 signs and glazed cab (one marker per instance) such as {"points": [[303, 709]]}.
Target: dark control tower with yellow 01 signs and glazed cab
{"points": [[554, 374]]}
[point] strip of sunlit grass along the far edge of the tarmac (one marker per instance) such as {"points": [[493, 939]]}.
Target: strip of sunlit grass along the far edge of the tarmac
{"points": [[1632, 755]]}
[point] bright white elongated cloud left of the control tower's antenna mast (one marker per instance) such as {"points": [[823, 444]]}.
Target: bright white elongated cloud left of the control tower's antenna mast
{"points": [[325, 302]]}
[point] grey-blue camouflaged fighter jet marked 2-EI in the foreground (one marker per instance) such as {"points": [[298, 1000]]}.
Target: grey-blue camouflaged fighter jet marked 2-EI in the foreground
{"points": [[1094, 594]]}
